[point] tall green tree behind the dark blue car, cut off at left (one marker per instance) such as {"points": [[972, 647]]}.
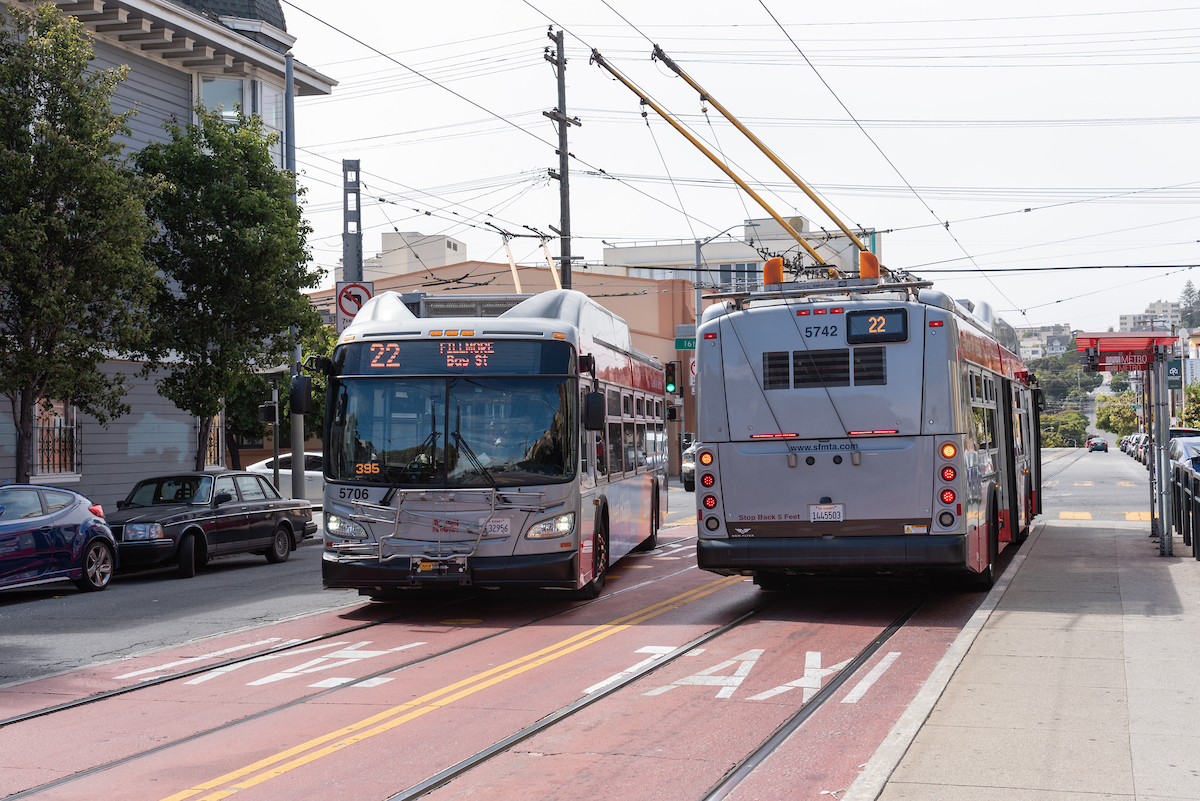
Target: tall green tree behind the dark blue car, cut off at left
{"points": [[75, 287]]}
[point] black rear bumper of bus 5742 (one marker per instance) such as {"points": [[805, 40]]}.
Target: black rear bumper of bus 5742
{"points": [[833, 555]]}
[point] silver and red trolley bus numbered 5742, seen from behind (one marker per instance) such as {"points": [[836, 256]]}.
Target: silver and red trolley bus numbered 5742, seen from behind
{"points": [[857, 426]]}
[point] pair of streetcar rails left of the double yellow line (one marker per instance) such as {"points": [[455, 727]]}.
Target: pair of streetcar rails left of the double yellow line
{"points": [[100, 769]]}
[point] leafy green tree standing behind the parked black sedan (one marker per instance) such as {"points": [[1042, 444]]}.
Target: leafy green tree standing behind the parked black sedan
{"points": [[232, 245]]}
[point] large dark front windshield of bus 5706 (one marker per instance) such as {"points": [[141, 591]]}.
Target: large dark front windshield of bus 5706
{"points": [[453, 432]]}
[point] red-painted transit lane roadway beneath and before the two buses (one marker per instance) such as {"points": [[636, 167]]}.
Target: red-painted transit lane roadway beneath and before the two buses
{"points": [[341, 719]]}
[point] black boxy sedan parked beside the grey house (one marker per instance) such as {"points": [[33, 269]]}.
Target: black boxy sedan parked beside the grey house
{"points": [[188, 519]]}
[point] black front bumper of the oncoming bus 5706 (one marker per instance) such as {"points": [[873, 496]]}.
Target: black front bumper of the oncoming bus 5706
{"points": [[559, 571]]}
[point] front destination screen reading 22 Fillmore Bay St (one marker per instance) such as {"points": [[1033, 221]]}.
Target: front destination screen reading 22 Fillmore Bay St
{"points": [[455, 358]]}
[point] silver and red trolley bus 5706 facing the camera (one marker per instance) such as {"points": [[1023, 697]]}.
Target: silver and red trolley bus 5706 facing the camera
{"points": [[520, 451]]}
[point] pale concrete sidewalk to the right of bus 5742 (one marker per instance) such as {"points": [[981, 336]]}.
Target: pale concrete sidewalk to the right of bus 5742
{"points": [[1077, 679]]}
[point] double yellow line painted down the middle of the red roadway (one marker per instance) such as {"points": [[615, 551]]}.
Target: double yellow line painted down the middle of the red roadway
{"points": [[328, 744]]}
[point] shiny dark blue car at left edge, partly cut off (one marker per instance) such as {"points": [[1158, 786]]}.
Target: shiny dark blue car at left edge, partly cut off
{"points": [[50, 534]]}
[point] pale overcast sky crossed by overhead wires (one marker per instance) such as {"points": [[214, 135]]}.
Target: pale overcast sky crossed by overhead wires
{"points": [[1048, 136]]}
